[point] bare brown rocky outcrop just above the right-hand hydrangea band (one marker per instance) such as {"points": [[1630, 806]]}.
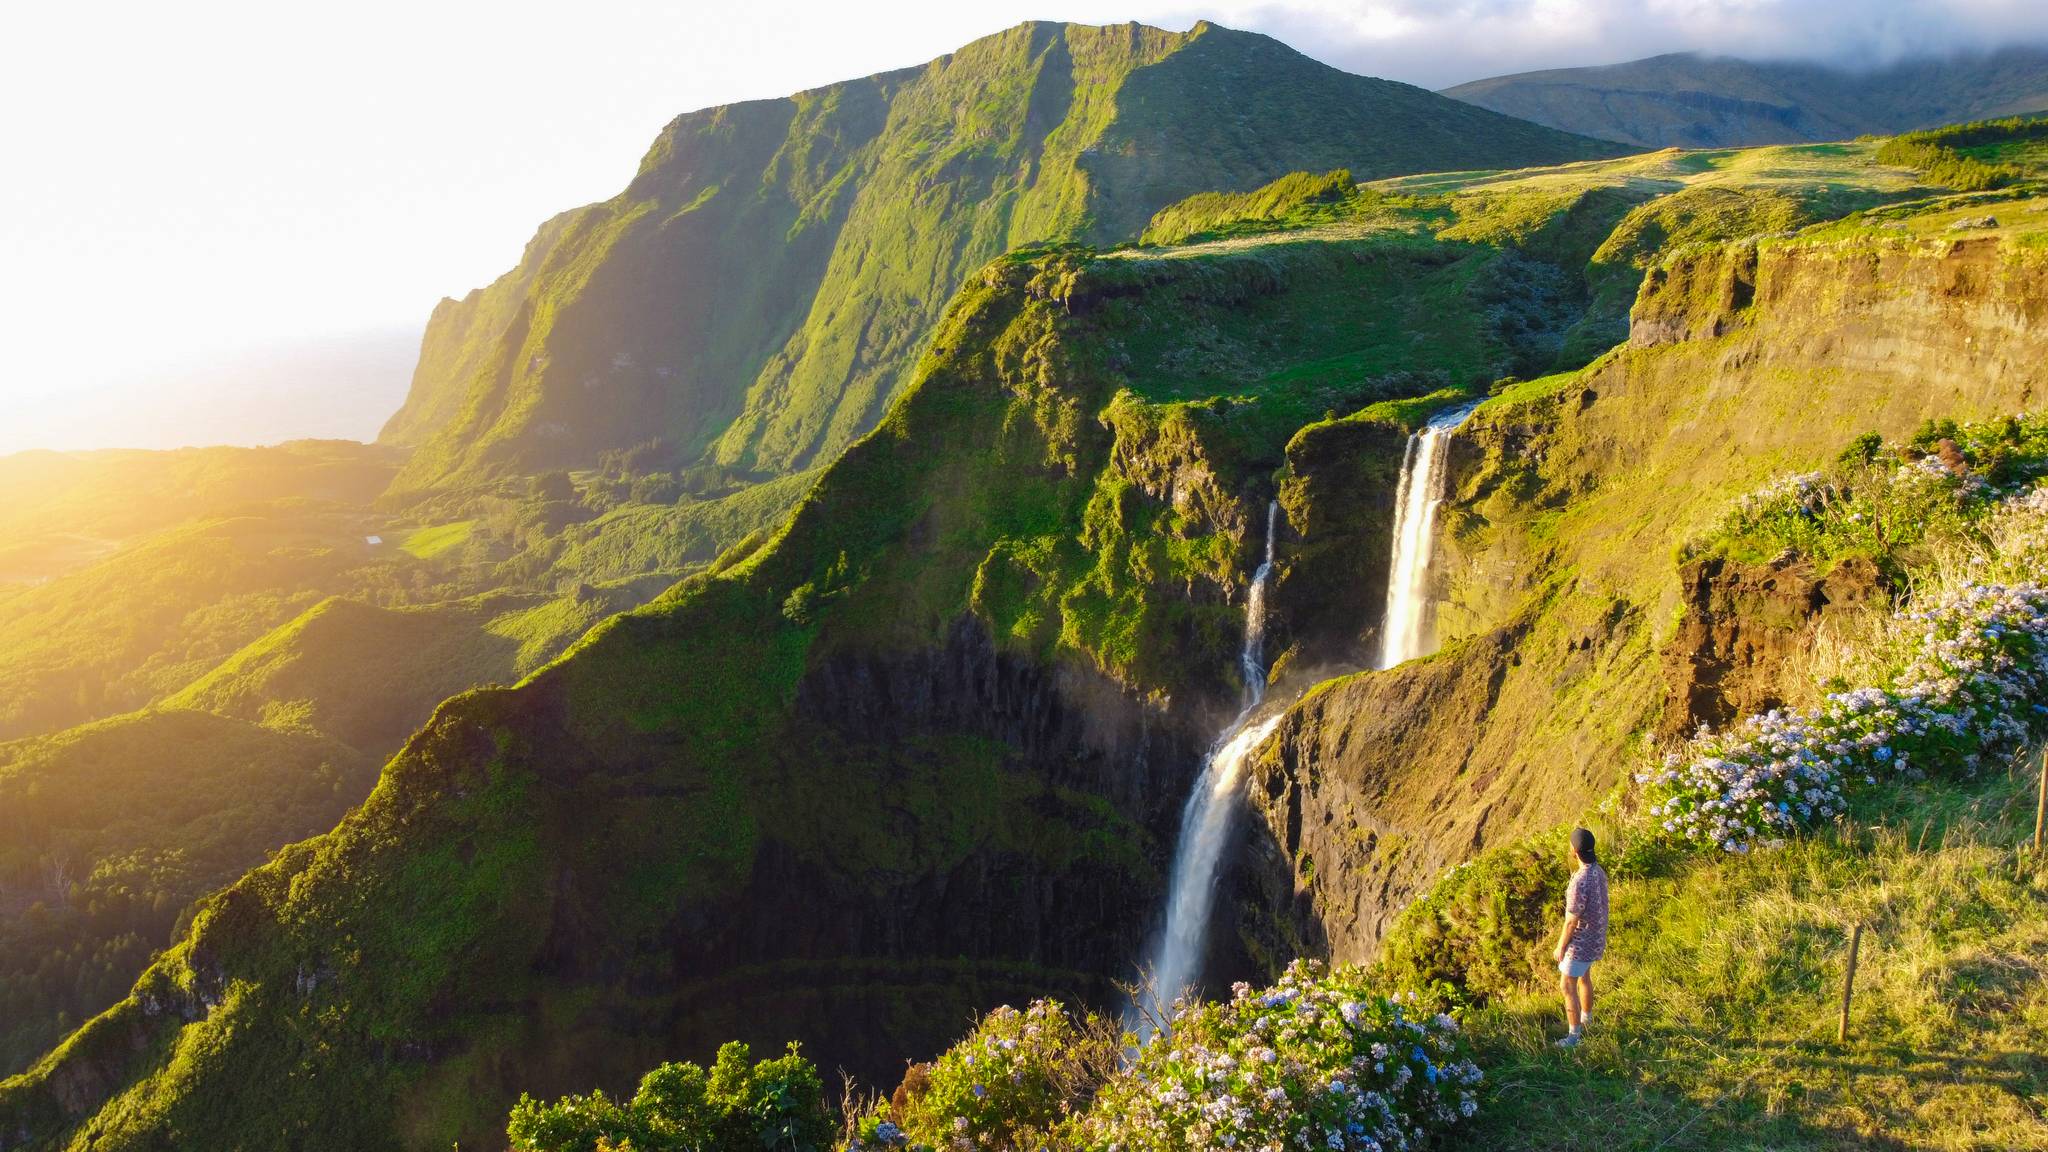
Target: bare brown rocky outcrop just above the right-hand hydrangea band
{"points": [[1748, 634]]}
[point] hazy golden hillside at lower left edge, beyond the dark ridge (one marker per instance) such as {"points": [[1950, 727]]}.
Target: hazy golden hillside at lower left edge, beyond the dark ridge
{"points": [[110, 833]]}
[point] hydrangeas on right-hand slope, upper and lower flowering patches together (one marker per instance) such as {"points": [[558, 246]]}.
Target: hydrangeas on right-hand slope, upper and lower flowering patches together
{"points": [[1961, 680]]}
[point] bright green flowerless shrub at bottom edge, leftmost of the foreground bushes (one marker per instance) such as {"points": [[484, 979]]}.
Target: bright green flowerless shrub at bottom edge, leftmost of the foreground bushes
{"points": [[681, 1108]]}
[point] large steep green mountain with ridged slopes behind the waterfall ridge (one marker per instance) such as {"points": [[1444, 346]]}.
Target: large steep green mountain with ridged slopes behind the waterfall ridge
{"points": [[765, 286]]}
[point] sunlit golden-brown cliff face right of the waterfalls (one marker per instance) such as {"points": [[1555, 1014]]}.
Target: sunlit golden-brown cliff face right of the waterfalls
{"points": [[1576, 636]]}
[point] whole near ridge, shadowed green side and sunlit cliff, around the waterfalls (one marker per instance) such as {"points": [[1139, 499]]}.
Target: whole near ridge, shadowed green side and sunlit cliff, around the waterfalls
{"points": [[925, 747]]}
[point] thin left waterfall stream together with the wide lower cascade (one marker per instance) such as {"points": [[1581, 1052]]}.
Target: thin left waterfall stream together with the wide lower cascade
{"points": [[1205, 823]]}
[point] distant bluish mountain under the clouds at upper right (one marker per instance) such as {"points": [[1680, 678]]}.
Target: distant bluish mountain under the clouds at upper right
{"points": [[1697, 101]]}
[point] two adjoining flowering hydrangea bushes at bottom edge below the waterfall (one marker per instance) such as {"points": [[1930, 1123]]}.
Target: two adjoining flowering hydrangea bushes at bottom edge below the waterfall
{"points": [[1316, 1063]]}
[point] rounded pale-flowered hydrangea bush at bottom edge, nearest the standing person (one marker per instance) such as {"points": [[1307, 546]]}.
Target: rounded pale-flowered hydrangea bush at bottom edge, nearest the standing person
{"points": [[1316, 1063]]}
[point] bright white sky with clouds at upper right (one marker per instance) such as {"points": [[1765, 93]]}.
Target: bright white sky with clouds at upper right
{"points": [[255, 188]]}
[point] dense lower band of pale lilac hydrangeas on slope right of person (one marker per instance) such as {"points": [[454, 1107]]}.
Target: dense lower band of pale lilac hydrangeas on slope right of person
{"points": [[1967, 680]]}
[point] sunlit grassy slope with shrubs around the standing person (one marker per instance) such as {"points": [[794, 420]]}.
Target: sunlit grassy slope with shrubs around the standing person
{"points": [[1750, 948]]}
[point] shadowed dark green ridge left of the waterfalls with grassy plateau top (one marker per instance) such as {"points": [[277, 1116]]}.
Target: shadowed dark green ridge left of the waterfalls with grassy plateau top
{"points": [[923, 749]]}
